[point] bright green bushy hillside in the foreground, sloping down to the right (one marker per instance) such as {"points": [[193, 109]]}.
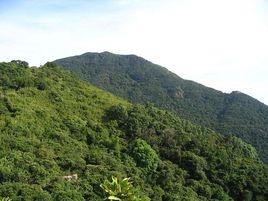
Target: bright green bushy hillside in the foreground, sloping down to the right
{"points": [[61, 138]]}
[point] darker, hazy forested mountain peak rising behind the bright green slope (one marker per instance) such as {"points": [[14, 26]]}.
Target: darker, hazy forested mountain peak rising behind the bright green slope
{"points": [[140, 81]]}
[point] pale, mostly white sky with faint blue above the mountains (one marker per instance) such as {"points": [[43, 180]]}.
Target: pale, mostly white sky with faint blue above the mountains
{"points": [[222, 44]]}
